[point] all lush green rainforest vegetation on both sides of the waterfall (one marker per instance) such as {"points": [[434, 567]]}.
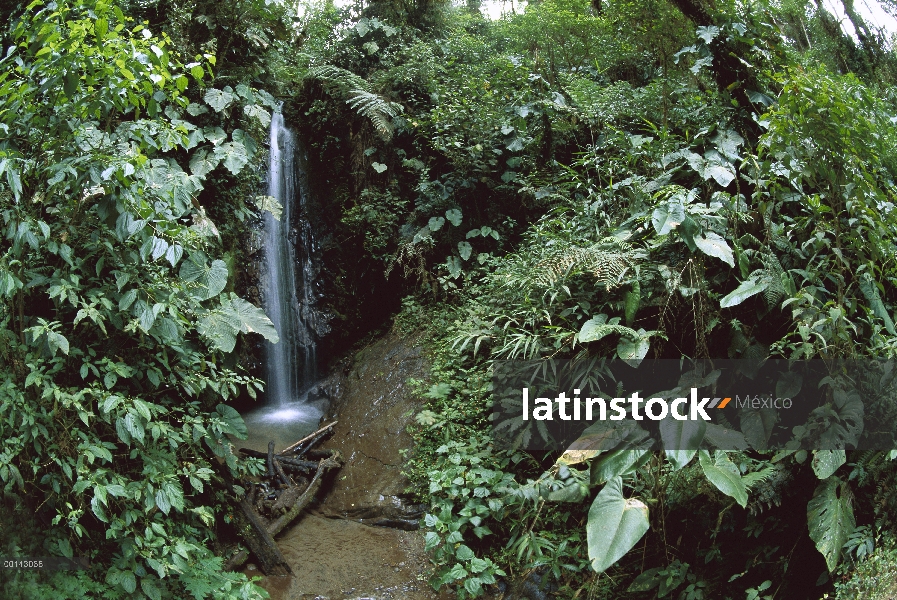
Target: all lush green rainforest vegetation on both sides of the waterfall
{"points": [[627, 178]]}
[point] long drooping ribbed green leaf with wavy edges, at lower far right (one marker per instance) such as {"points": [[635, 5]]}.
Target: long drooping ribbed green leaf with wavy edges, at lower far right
{"points": [[830, 519]]}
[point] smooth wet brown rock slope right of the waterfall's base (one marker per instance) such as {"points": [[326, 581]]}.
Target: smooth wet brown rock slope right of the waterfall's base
{"points": [[374, 406]]}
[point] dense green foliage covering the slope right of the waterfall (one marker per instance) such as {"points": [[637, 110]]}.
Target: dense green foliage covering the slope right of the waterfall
{"points": [[556, 189]]}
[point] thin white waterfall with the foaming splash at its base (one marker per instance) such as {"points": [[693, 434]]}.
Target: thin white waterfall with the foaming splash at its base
{"points": [[288, 297]]}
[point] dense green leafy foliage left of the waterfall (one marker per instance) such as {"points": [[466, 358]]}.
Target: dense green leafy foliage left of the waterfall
{"points": [[117, 305]]}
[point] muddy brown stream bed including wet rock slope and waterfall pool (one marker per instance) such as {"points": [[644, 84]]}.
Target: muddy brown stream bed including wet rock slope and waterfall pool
{"points": [[359, 539]]}
